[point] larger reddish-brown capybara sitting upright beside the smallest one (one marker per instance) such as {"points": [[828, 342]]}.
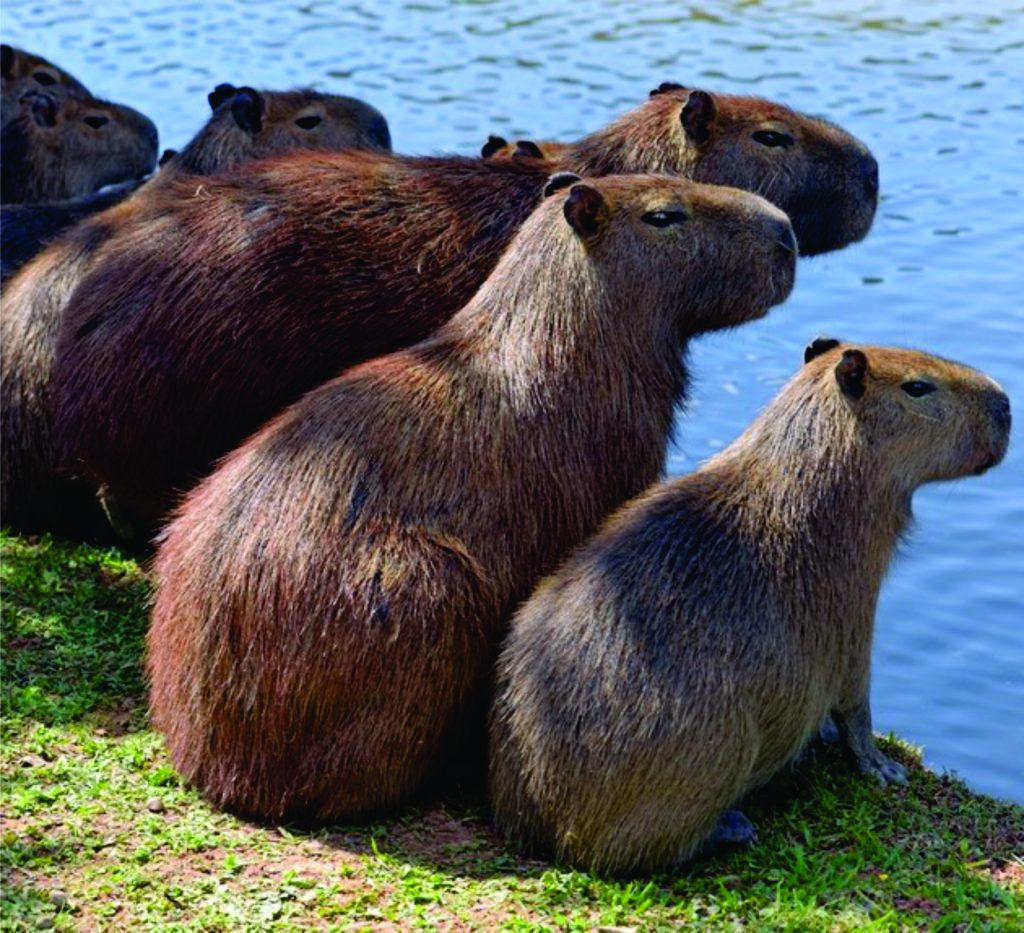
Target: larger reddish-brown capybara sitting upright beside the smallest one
{"points": [[330, 601]]}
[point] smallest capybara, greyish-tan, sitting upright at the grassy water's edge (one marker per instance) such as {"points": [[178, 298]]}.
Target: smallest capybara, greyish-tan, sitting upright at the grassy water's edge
{"points": [[694, 647]]}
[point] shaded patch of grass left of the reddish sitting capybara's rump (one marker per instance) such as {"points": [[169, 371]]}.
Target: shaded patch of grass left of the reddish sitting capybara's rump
{"points": [[74, 624]]}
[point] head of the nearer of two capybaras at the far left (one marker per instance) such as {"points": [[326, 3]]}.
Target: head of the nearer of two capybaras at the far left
{"points": [[61, 148]]}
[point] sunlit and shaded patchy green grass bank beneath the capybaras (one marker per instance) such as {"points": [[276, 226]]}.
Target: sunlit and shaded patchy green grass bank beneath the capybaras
{"points": [[99, 834]]}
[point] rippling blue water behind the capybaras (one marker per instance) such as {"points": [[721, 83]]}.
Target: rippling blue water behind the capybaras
{"points": [[935, 89]]}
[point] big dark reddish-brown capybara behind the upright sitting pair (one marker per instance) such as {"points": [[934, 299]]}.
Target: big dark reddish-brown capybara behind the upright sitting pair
{"points": [[200, 324]]}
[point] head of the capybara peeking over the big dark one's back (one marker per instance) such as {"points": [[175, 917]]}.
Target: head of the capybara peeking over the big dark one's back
{"points": [[247, 124]]}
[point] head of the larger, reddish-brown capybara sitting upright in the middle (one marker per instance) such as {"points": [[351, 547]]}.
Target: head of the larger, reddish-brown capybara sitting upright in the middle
{"points": [[738, 250]]}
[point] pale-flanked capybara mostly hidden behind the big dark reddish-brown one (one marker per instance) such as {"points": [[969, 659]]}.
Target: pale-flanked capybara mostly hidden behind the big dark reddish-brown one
{"points": [[246, 124]]}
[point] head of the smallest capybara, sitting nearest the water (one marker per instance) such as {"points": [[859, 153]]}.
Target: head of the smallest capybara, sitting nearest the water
{"points": [[920, 417]]}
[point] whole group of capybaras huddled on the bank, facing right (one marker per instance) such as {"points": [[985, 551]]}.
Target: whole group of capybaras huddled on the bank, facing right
{"points": [[399, 426]]}
